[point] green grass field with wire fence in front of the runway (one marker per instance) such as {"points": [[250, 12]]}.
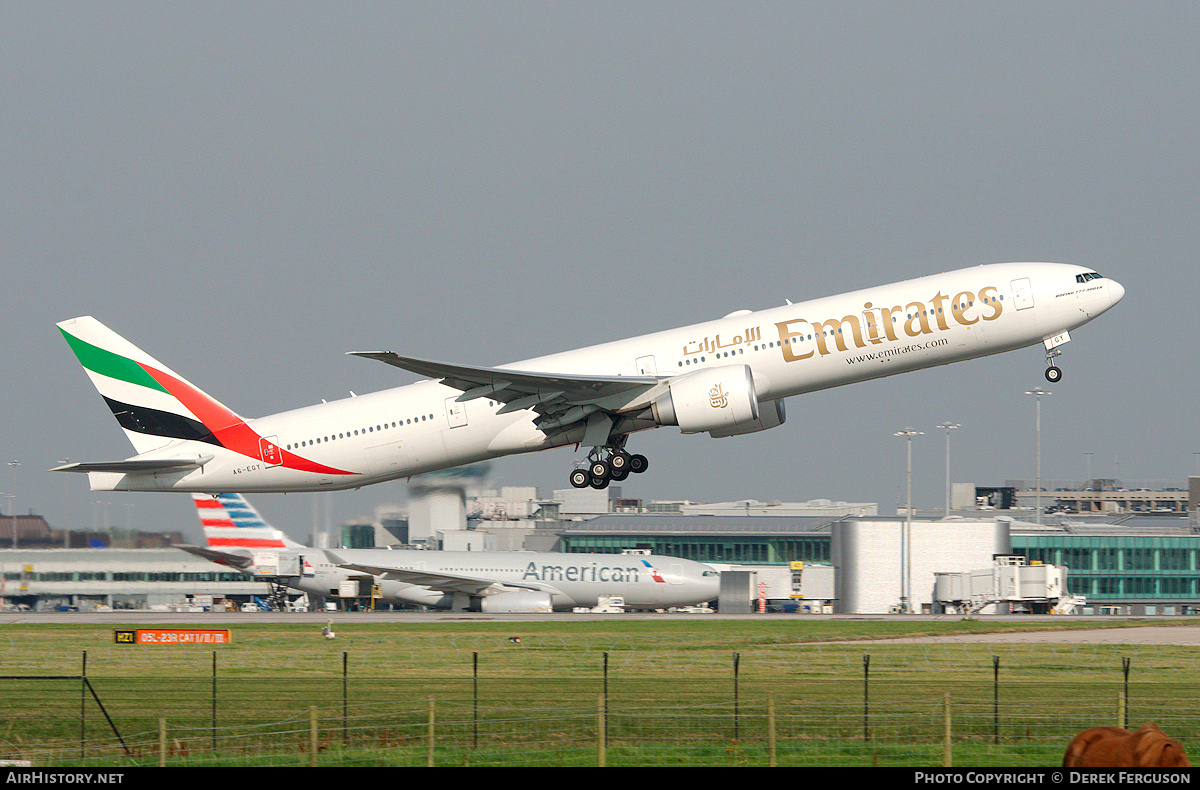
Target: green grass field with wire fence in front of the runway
{"points": [[675, 692]]}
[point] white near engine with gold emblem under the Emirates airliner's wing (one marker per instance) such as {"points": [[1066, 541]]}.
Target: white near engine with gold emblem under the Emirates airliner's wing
{"points": [[721, 400]]}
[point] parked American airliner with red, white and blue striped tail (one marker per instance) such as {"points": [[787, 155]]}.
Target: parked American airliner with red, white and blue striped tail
{"points": [[491, 582]]}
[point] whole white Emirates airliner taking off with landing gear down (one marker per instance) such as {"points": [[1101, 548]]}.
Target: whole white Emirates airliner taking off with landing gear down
{"points": [[723, 378]]}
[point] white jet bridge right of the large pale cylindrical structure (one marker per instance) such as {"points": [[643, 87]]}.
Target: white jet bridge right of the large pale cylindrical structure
{"points": [[1010, 580]]}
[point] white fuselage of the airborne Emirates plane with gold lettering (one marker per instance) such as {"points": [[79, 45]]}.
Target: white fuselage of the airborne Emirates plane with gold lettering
{"points": [[788, 351]]}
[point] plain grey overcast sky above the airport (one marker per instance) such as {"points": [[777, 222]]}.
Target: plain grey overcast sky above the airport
{"points": [[249, 190]]}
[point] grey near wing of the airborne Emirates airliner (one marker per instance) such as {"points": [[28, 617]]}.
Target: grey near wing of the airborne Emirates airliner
{"points": [[560, 399]]}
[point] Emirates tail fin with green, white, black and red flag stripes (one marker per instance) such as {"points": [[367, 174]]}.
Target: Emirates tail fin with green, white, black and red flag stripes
{"points": [[152, 403]]}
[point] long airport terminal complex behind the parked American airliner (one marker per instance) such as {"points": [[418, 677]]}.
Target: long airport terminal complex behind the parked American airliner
{"points": [[1120, 559]]}
